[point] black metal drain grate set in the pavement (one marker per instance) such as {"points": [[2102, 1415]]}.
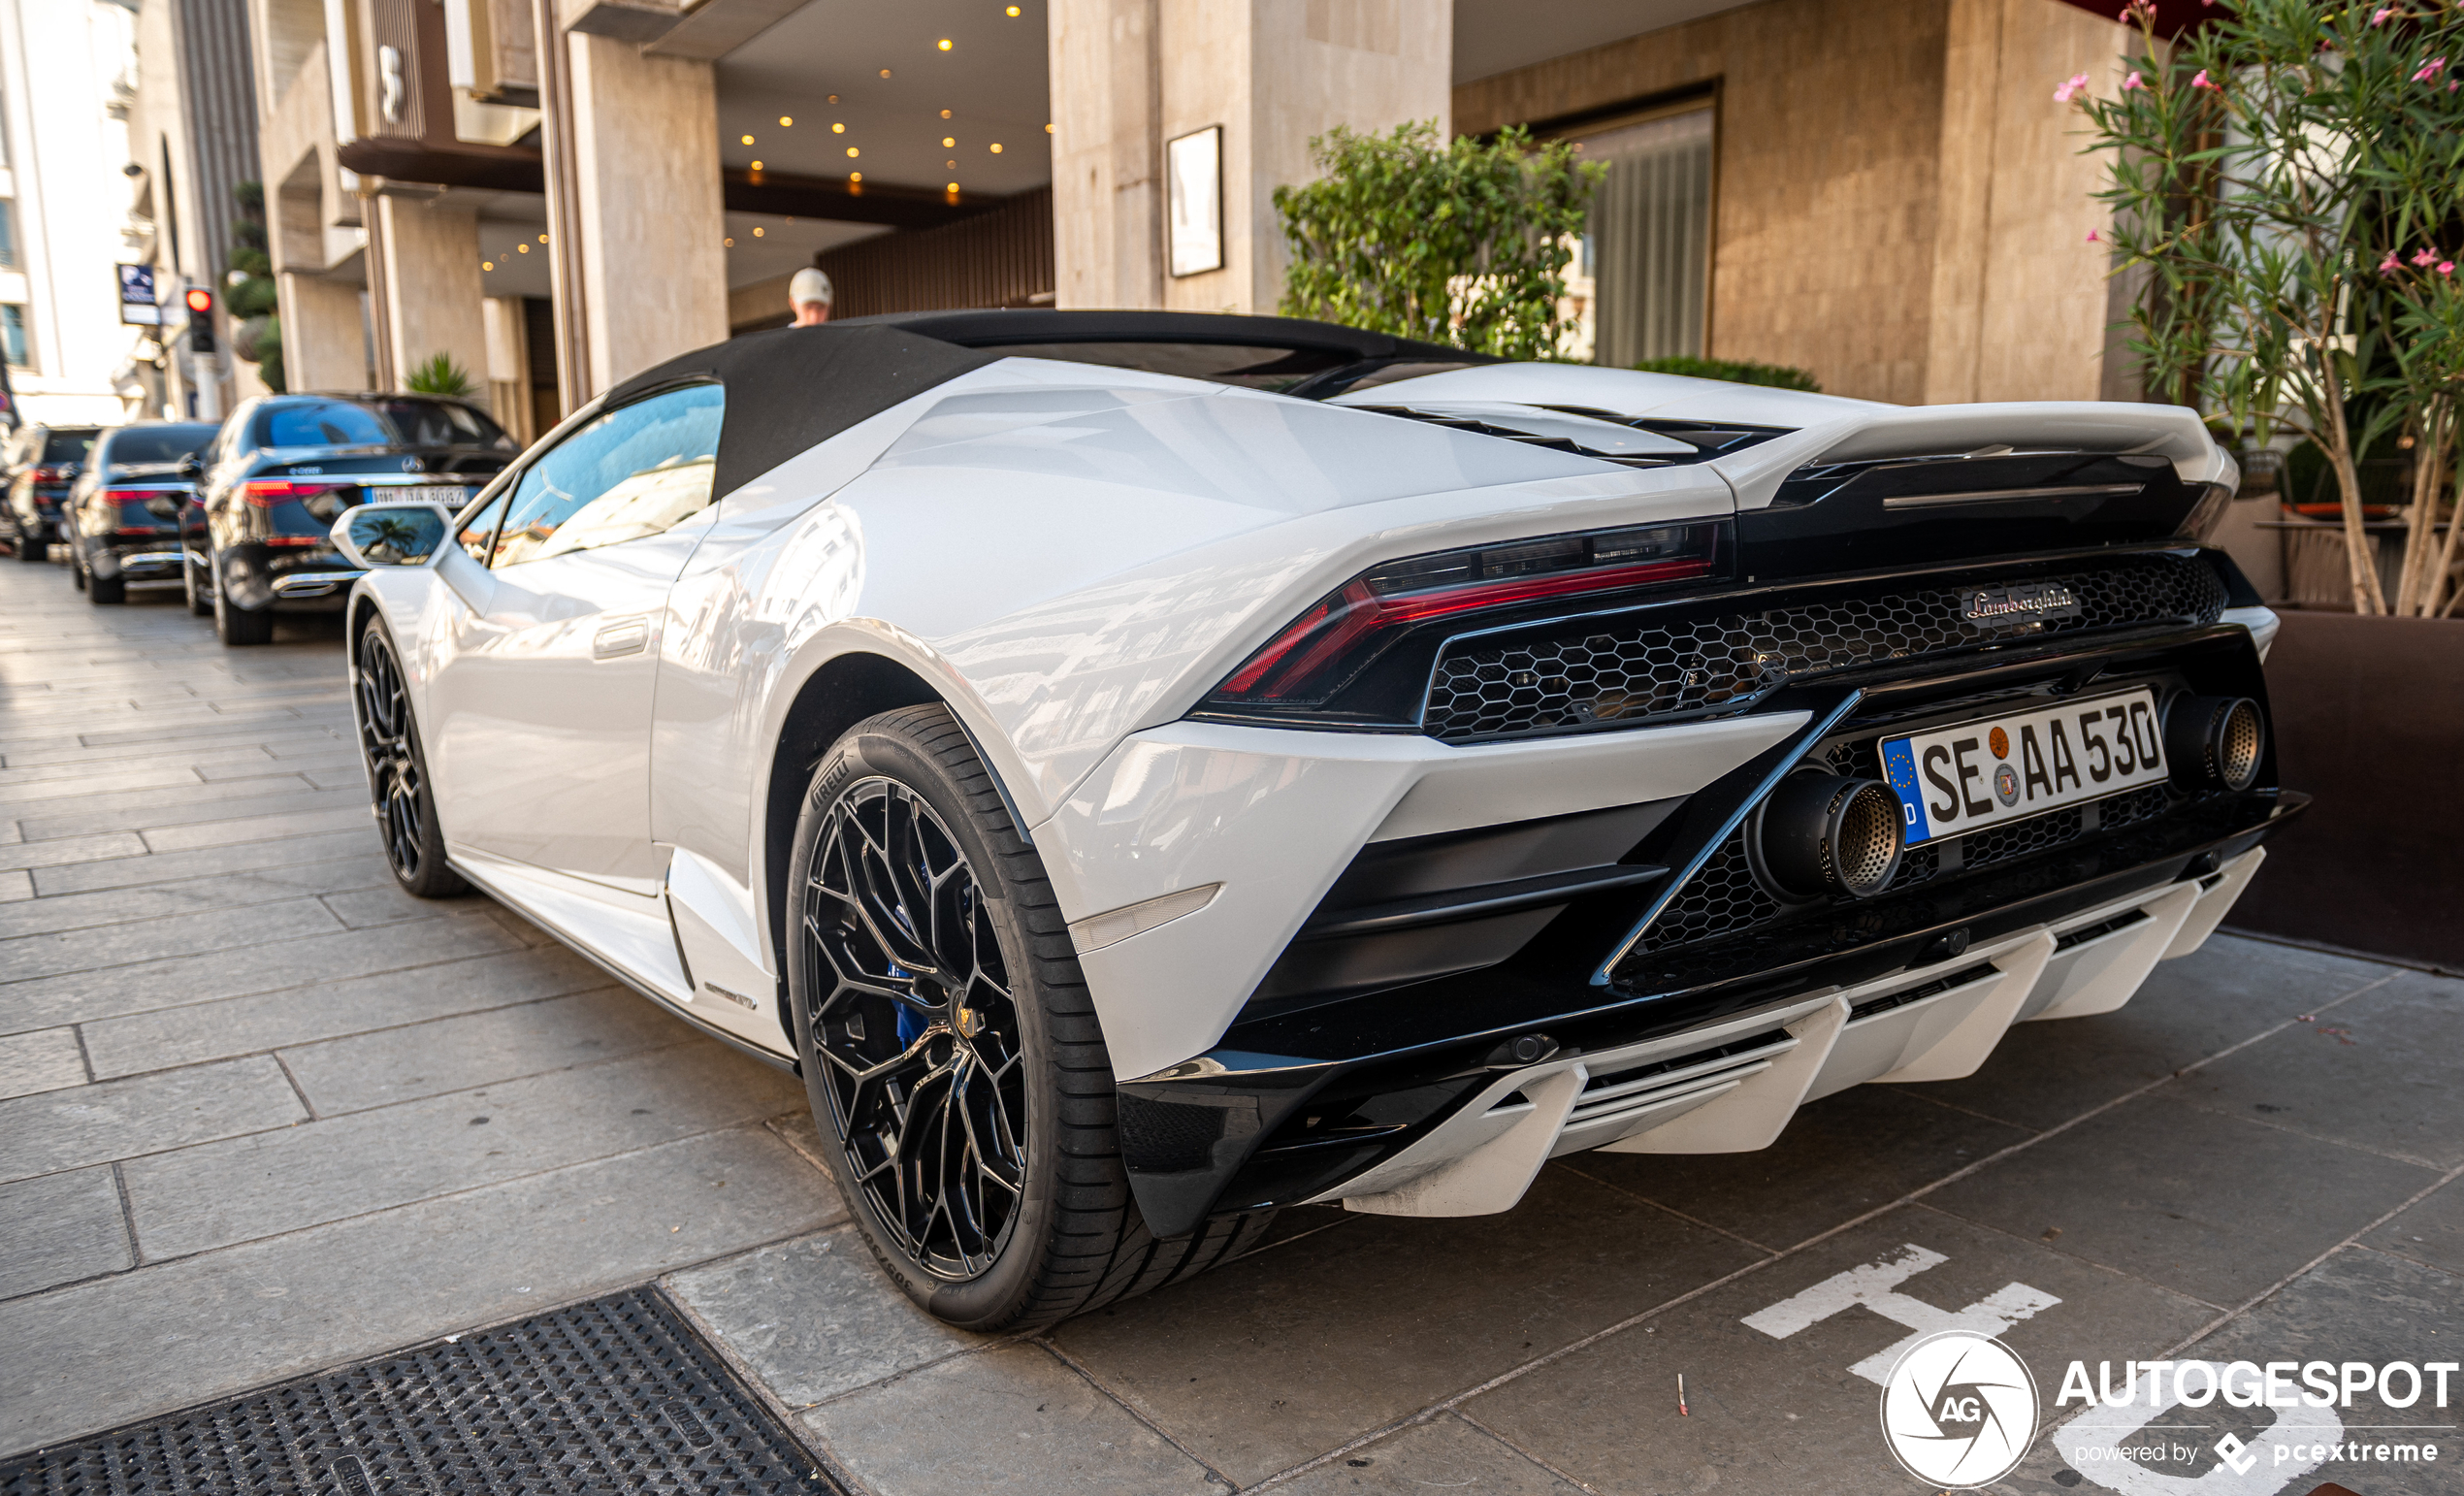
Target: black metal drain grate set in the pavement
{"points": [[602, 1399]]}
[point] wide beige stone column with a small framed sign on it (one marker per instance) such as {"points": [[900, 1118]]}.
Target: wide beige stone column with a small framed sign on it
{"points": [[1132, 75]]}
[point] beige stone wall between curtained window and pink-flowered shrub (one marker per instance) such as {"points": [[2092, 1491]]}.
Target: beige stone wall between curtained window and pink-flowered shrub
{"points": [[1899, 203]]}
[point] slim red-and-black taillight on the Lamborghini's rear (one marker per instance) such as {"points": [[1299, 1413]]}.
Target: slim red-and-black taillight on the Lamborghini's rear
{"points": [[1337, 640]]}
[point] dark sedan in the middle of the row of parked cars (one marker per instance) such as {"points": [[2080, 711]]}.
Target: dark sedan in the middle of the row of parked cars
{"points": [[124, 514]]}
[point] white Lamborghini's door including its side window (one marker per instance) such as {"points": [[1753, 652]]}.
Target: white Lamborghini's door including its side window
{"points": [[543, 696]]}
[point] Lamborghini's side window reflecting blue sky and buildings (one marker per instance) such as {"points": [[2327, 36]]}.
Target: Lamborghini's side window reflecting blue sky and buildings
{"points": [[630, 474]]}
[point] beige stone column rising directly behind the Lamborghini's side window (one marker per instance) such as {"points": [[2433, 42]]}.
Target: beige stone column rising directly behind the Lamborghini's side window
{"points": [[647, 193]]}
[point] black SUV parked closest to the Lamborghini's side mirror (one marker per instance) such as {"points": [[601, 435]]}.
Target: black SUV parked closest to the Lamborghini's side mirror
{"points": [[282, 472]]}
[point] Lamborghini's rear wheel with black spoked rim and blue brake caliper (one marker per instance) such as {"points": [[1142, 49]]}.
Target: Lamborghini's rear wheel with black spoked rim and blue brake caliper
{"points": [[947, 1044]]}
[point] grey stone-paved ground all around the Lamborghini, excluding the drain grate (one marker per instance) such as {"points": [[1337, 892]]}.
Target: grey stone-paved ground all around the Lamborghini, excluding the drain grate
{"points": [[265, 1115]]}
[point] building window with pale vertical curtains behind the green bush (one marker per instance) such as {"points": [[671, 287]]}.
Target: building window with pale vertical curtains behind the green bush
{"points": [[1645, 270]]}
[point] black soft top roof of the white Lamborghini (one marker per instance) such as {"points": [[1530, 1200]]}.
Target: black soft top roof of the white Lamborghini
{"points": [[790, 388]]}
